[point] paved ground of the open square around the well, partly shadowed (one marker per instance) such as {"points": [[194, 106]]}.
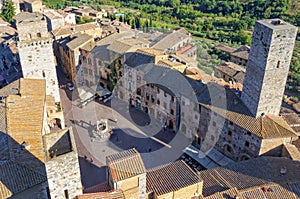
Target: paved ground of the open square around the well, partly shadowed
{"points": [[157, 146]]}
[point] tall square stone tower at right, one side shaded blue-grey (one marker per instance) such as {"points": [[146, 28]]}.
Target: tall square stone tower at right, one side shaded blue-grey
{"points": [[268, 65]]}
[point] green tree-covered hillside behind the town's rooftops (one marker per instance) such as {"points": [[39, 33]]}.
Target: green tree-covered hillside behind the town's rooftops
{"points": [[228, 21]]}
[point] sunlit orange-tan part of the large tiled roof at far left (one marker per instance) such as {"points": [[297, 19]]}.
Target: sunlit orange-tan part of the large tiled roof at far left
{"points": [[25, 115]]}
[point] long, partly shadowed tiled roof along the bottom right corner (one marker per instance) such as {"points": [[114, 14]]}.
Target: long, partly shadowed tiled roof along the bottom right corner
{"points": [[251, 173]]}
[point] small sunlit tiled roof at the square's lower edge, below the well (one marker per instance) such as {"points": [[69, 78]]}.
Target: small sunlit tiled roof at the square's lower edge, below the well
{"points": [[125, 164]]}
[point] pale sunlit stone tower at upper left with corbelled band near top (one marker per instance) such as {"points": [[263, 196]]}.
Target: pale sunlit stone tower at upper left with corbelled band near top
{"points": [[36, 51]]}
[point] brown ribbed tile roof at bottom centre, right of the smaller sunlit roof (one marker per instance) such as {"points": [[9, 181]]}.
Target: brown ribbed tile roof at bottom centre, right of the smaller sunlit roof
{"points": [[170, 177]]}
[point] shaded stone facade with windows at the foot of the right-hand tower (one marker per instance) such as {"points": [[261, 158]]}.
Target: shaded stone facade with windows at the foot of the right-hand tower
{"points": [[229, 138]]}
